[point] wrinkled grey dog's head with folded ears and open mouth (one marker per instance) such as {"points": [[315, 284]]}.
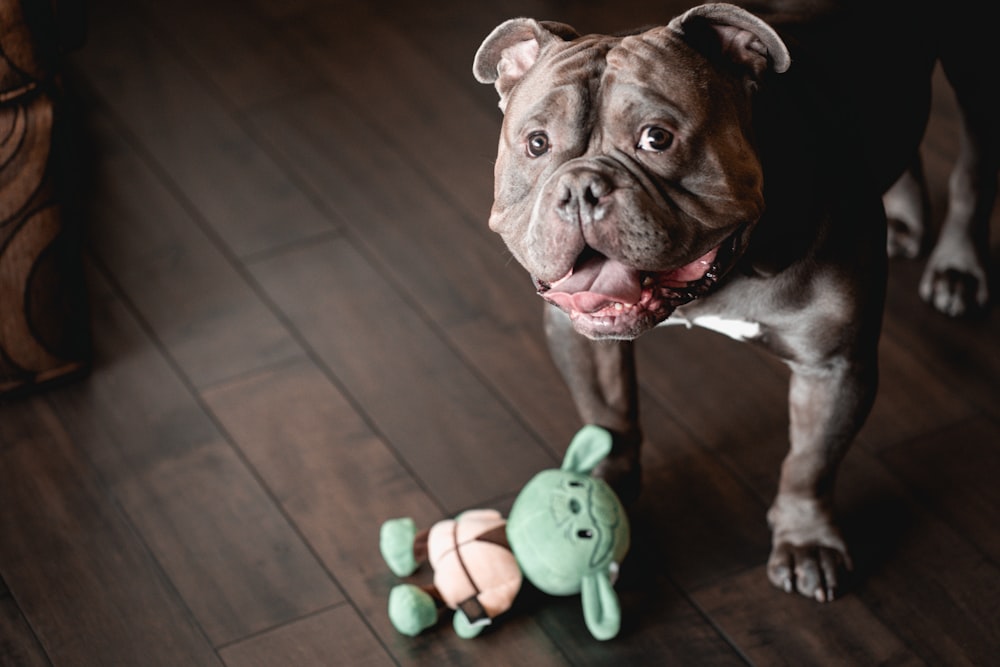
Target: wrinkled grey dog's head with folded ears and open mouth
{"points": [[626, 179]]}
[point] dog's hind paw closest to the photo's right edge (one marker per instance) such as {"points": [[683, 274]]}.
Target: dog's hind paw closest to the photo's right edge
{"points": [[955, 281]]}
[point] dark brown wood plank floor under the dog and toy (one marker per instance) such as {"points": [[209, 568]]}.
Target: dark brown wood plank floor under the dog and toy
{"points": [[303, 327]]}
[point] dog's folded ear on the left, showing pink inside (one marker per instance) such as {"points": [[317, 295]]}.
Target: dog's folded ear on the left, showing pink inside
{"points": [[512, 48]]}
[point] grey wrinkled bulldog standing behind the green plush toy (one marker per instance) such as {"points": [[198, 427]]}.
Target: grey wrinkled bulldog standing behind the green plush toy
{"points": [[728, 171]]}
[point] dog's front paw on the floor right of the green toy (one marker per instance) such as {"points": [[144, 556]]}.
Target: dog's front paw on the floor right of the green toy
{"points": [[808, 554]]}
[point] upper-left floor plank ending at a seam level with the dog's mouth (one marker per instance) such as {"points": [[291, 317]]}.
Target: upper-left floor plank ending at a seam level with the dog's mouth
{"points": [[234, 185]]}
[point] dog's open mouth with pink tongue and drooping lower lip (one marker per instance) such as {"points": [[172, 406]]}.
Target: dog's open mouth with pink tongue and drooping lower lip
{"points": [[607, 299]]}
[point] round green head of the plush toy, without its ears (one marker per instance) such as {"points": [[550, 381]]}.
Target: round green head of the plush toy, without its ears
{"points": [[566, 525]]}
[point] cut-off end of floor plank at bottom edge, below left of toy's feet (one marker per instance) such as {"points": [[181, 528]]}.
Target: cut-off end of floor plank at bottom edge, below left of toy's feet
{"points": [[334, 637]]}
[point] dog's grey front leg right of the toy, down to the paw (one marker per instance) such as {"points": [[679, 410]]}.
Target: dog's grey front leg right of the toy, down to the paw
{"points": [[828, 404]]}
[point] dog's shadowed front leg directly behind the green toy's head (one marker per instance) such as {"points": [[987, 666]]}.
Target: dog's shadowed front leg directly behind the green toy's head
{"points": [[601, 377]]}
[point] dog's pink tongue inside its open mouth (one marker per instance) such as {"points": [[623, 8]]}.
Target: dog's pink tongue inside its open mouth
{"points": [[597, 283]]}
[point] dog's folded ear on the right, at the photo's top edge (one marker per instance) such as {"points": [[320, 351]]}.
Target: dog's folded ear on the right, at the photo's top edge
{"points": [[735, 34]]}
